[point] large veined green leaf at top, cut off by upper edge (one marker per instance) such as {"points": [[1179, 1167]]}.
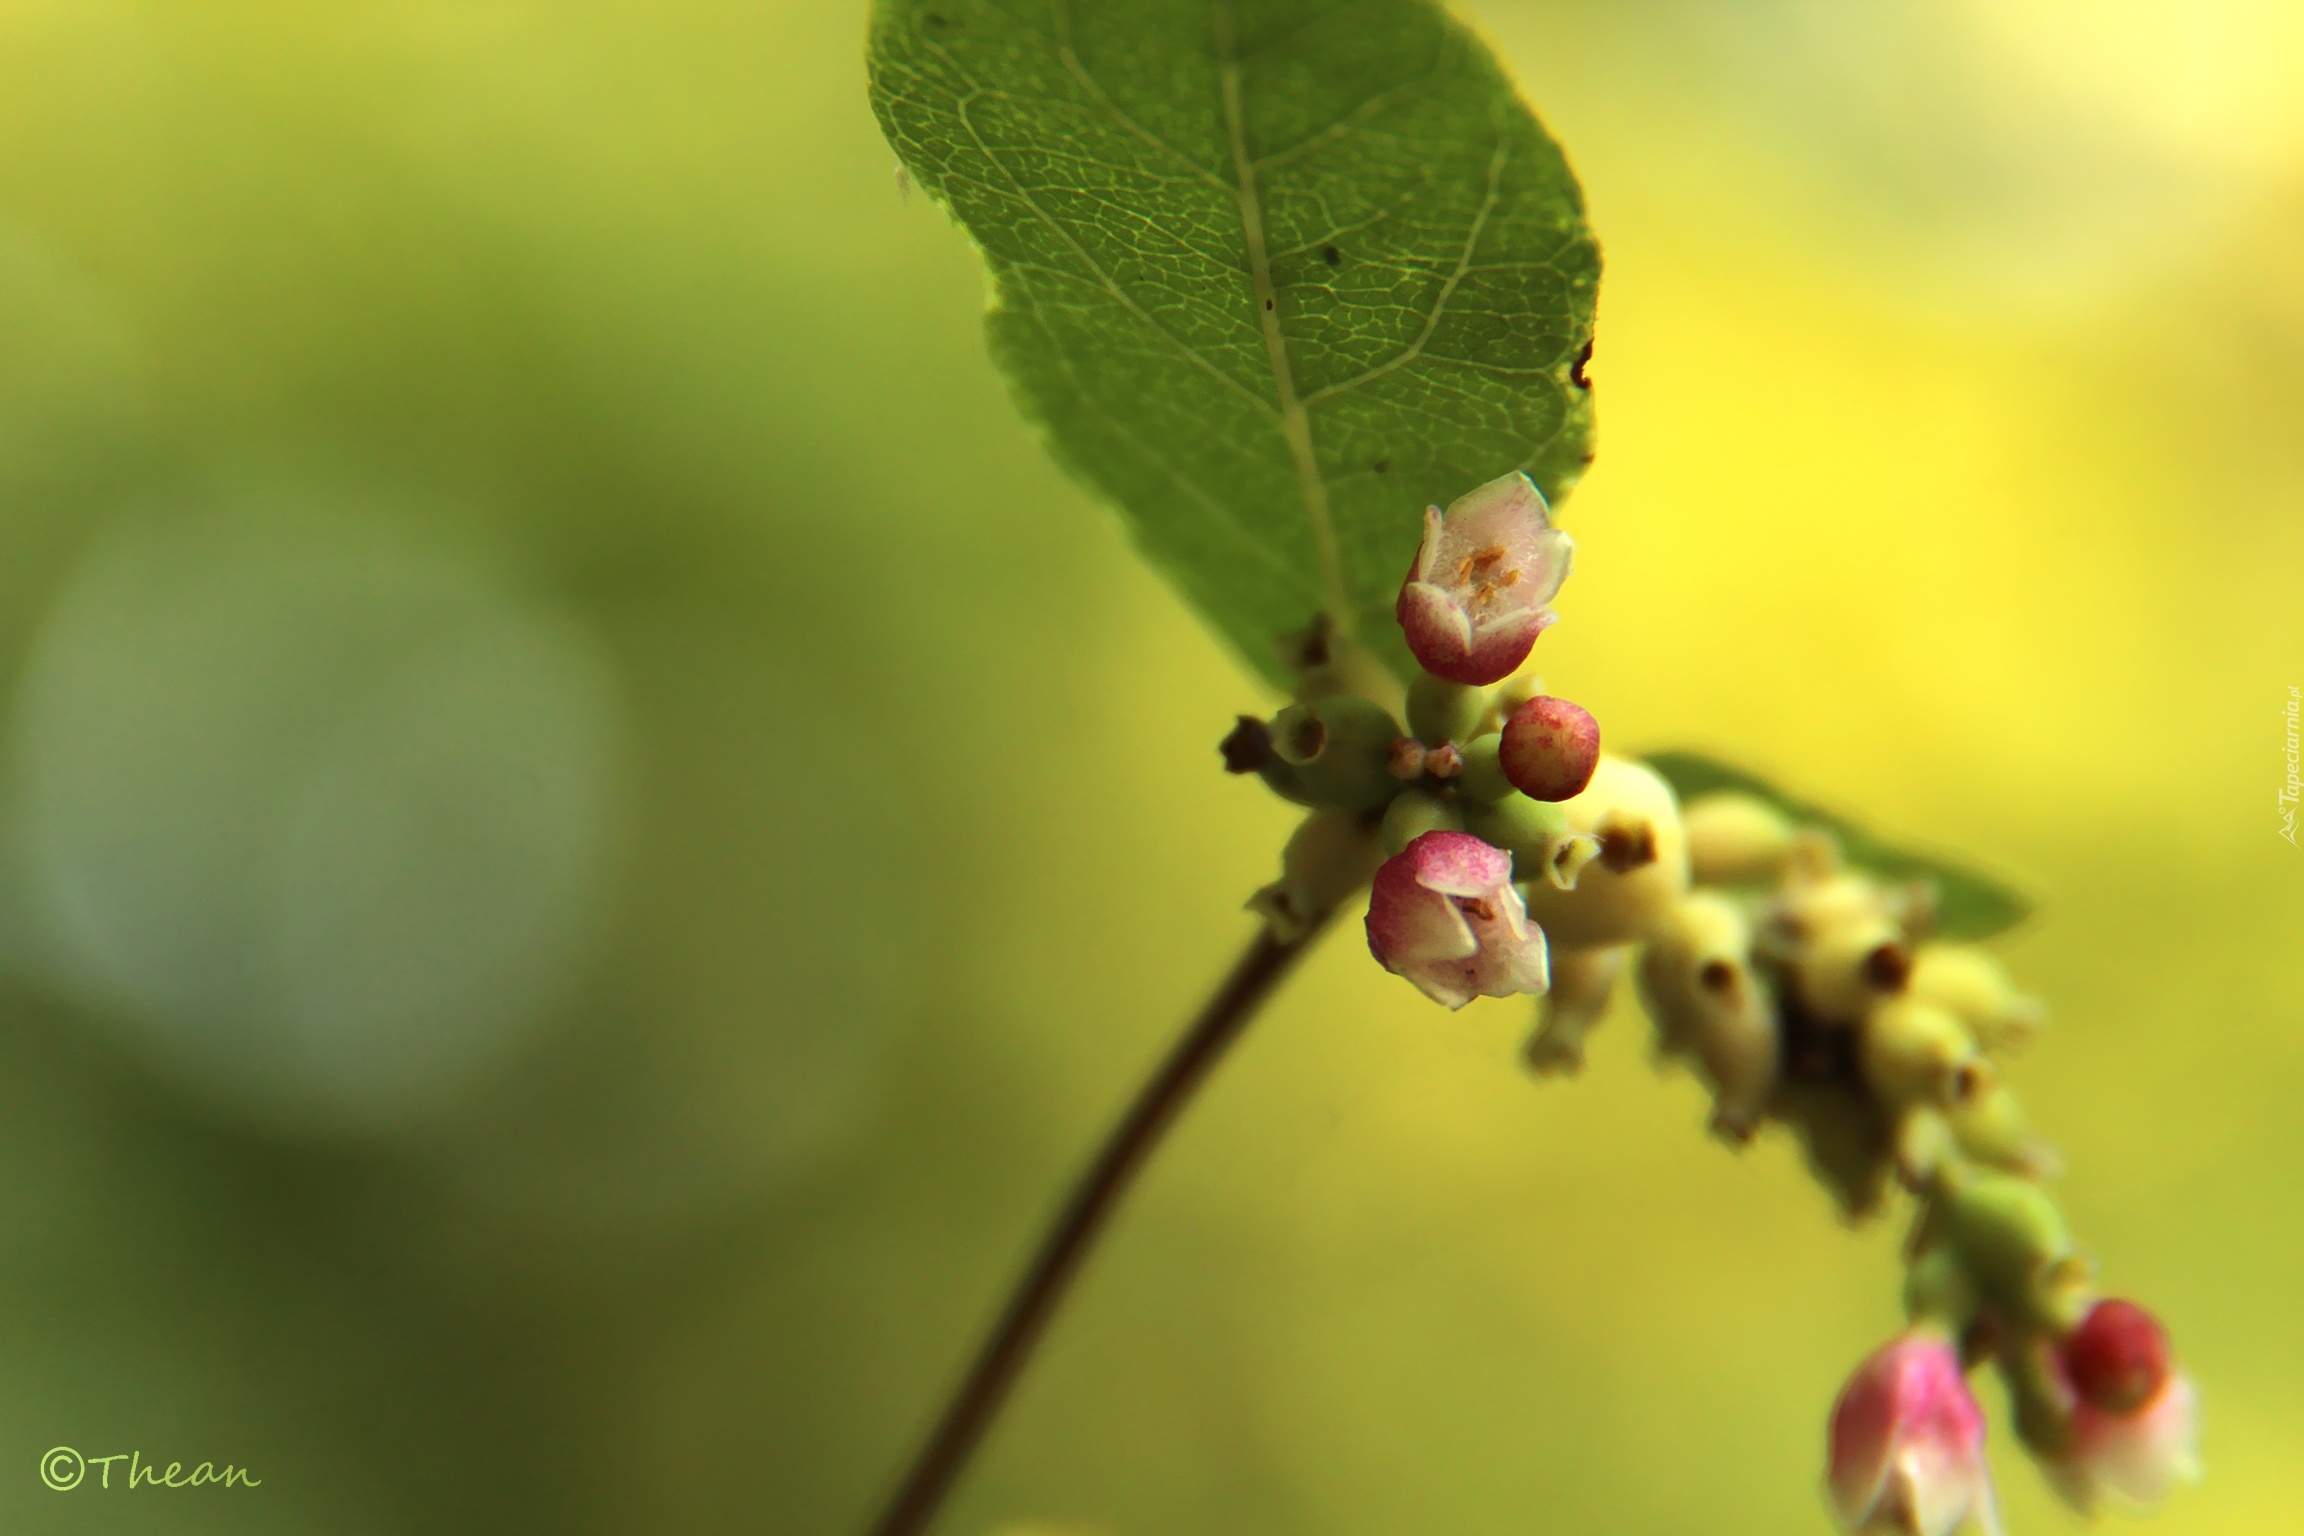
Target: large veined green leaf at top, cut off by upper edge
{"points": [[1271, 275]]}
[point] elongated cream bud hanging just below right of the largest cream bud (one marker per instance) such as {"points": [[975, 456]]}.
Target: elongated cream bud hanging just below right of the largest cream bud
{"points": [[1713, 1007]]}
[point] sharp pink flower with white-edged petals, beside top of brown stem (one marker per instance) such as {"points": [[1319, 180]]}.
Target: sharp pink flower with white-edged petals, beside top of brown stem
{"points": [[1446, 915]]}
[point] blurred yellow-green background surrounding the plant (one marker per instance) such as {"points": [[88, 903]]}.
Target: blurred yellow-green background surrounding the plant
{"points": [[591, 830]]}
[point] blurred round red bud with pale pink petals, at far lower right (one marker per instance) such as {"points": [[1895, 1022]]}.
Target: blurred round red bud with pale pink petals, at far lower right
{"points": [[2135, 1417]]}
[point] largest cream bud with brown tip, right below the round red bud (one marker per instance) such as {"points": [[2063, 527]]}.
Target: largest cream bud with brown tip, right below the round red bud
{"points": [[1642, 867]]}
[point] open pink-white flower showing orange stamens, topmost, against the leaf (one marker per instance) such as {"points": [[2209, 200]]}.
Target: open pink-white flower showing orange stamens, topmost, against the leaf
{"points": [[1478, 593]]}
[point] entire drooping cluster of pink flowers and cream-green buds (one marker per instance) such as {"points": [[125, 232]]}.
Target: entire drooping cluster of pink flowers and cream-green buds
{"points": [[1506, 853]]}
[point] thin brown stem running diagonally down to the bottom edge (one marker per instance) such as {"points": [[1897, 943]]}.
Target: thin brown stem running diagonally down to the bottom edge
{"points": [[1075, 1233]]}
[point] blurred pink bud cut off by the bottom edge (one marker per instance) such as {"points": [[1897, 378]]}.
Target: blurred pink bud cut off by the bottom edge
{"points": [[1909, 1445]]}
